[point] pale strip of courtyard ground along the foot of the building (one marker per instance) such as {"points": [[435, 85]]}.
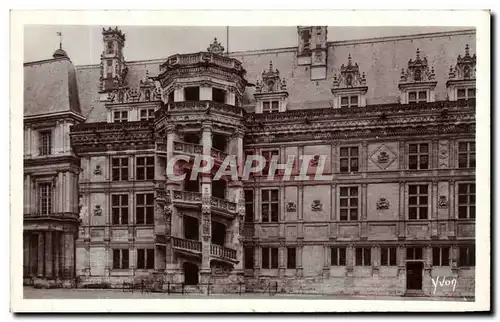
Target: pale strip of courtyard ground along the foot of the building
{"points": [[32, 293]]}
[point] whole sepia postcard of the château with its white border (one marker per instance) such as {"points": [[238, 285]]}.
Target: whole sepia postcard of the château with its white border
{"points": [[243, 162]]}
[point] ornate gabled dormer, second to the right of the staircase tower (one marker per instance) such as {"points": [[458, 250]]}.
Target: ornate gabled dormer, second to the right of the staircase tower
{"points": [[349, 87]]}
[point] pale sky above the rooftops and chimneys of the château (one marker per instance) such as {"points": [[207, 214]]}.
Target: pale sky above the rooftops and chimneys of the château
{"points": [[84, 43]]}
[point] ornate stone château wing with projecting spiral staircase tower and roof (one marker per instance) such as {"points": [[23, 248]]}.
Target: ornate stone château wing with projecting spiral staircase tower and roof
{"points": [[395, 134]]}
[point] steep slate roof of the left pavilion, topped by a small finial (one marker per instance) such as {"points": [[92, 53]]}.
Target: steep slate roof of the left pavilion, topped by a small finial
{"points": [[50, 86]]}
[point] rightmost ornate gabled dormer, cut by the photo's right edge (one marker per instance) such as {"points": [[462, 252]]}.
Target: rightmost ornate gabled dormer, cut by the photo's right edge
{"points": [[461, 82]]}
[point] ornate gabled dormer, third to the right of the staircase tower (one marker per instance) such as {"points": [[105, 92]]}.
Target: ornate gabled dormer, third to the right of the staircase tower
{"points": [[418, 82]]}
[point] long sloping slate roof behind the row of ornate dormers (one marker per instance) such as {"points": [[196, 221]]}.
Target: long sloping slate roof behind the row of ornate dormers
{"points": [[380, 58]]}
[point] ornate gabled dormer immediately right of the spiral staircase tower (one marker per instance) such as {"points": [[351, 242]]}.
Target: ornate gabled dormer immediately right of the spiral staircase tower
{"points": [[271, 94]]}
